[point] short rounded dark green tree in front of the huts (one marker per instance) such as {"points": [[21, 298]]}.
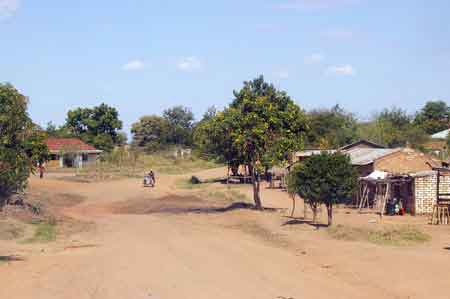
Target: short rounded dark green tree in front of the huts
{"points": [[324, 179]]}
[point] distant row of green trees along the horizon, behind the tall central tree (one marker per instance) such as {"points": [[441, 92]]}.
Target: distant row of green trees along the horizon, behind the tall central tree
{"points": [[327, 128]]}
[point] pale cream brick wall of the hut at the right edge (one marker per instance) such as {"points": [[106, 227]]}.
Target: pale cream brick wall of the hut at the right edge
{"points": [[425, 192]]}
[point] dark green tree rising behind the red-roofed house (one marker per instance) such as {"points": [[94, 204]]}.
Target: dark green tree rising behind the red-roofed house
{"points": [[98, 126]]}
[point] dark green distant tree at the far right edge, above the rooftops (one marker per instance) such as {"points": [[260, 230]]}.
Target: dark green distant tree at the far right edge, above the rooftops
{"points": [[434, 117]]}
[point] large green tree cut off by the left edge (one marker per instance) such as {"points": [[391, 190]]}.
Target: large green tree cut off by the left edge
{"points": [[21, 142]]}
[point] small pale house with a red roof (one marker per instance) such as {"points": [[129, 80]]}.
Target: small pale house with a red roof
{"points": [[70, 153]]}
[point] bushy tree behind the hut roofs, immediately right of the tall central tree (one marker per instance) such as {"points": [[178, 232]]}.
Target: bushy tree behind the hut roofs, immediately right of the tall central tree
{"points": [[332, 128]]}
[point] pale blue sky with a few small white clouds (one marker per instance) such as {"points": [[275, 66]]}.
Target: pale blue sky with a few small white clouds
{"points": [[144, 56]]}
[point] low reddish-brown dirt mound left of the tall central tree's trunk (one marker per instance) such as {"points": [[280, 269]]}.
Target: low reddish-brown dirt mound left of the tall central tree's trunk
{"points": [[175, 204]]}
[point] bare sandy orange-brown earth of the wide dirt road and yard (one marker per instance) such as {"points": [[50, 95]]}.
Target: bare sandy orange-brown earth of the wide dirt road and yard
{"points": [[171, 243]]}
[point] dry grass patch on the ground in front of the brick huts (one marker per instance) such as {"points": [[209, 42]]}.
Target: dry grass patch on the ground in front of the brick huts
{"points": [[390, 236]]}
